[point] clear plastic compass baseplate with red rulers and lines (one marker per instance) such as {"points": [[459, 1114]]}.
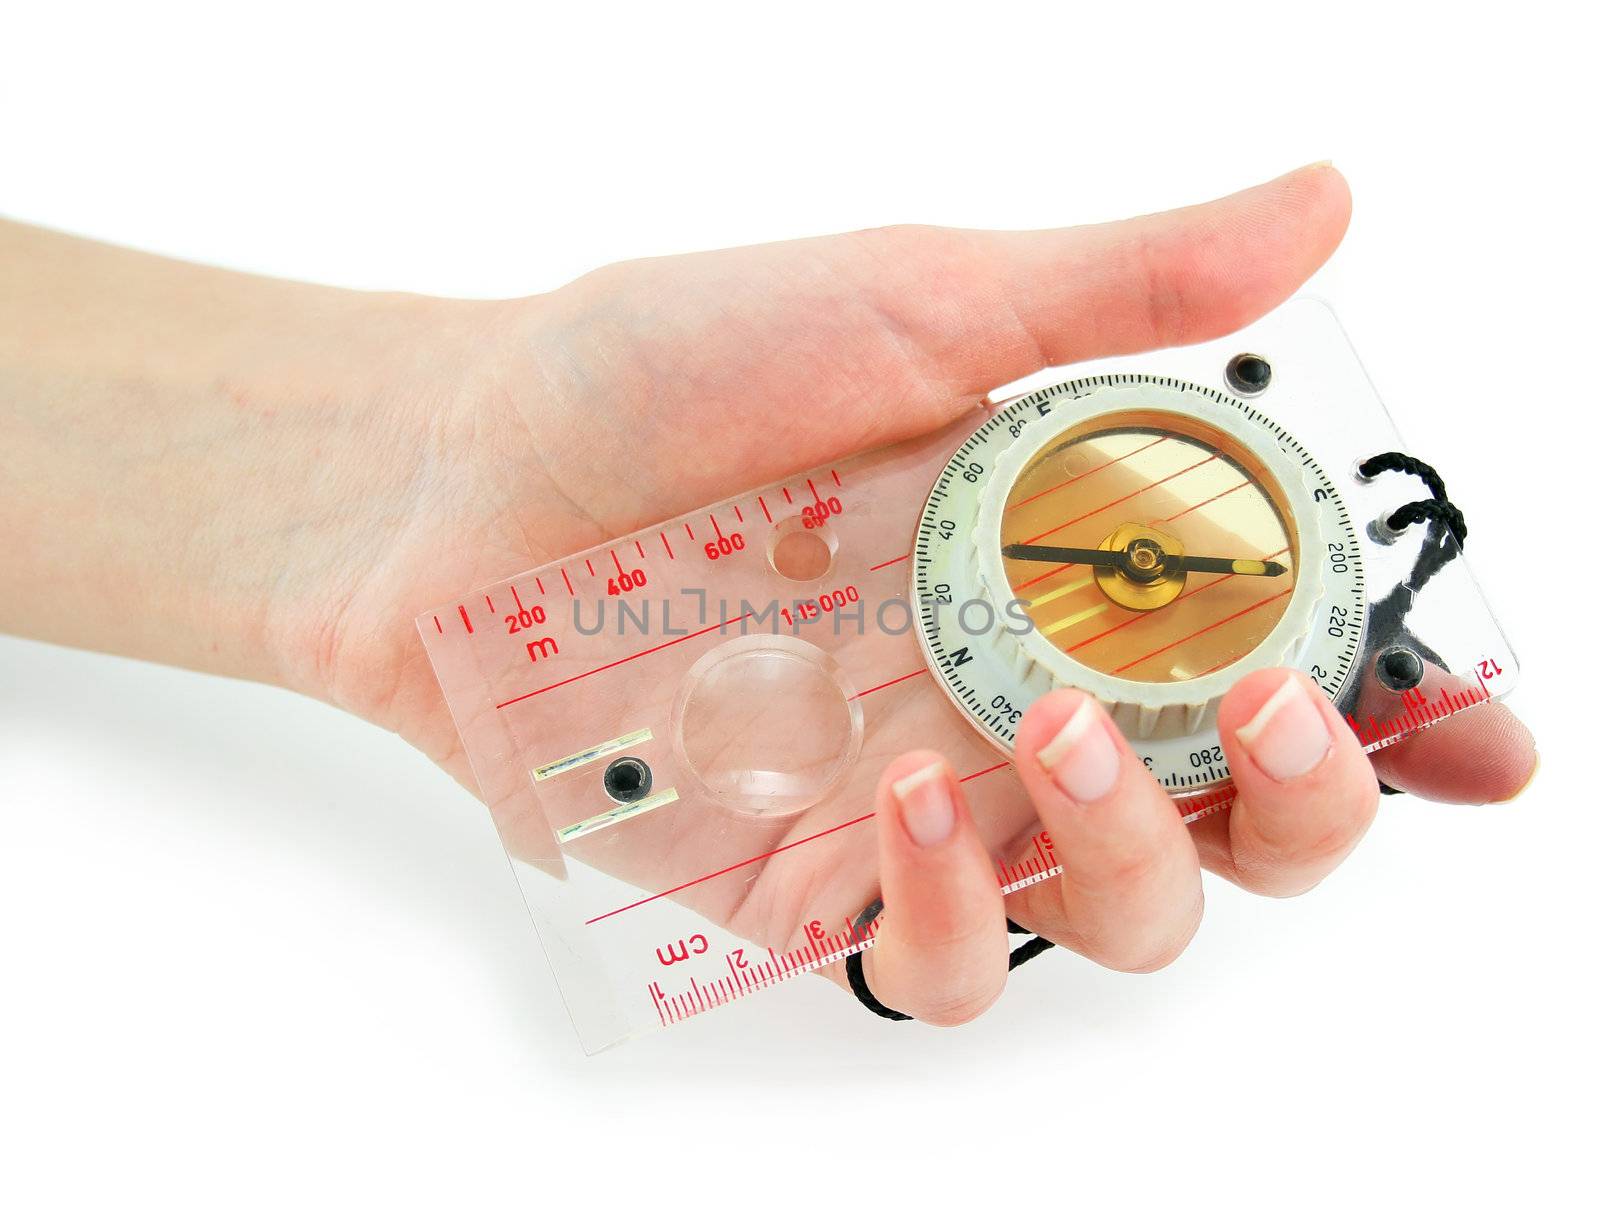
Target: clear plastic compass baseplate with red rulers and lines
{"points": [[756, 660]]}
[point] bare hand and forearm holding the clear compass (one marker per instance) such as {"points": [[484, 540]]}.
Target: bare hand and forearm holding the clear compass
{"points": [[278, 478]]}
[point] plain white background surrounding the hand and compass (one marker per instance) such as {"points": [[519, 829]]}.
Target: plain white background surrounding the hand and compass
{"points": [[258, 959]]}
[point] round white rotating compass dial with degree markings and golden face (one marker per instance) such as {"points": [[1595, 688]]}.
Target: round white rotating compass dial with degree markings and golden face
{"points": [[1162, 470]]}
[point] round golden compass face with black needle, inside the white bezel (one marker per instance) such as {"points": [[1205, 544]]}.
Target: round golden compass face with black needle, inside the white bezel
{"points": [[1150, 546]]}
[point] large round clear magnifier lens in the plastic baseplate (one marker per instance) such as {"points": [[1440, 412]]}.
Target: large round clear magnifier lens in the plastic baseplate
{"points": [[767, 726]]}
